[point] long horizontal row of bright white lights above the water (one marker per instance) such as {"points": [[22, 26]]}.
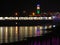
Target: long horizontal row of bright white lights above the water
{"points": [[25, 18]]}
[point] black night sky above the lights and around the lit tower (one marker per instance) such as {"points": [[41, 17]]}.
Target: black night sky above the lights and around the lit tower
{"points": [[9, 6]]}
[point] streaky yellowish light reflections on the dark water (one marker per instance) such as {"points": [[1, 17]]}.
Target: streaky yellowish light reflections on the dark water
{"points": [[17, 33]]}
